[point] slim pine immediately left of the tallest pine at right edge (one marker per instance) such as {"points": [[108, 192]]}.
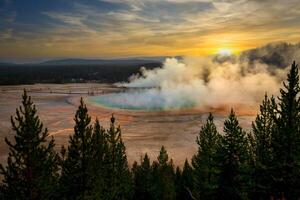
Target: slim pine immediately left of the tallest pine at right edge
{"points": [[261, 138]]}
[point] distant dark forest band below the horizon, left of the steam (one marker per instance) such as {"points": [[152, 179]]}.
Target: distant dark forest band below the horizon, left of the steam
{"points": [[66, 73]]}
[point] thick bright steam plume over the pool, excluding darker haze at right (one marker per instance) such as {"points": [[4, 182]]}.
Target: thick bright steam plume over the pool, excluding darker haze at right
{"points": [[201, 82]]}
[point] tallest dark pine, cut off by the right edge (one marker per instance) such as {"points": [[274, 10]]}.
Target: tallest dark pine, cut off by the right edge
{"points": [[286, 139]]}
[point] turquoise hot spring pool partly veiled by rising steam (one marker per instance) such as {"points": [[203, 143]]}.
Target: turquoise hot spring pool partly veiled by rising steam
{"points": [[141, 99]]}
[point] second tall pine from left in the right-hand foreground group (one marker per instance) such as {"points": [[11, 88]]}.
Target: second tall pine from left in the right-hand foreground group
{"points": [[234, 161]]}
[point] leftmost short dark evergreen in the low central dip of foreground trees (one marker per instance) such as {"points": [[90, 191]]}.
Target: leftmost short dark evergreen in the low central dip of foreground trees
{"points": [[142, 176]]}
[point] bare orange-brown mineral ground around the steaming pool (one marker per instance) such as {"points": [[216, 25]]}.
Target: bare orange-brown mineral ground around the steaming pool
{"points": [[142, 131]]}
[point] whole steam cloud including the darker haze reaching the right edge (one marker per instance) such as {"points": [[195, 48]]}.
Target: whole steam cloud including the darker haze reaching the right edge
{"points": [[211, 81]]}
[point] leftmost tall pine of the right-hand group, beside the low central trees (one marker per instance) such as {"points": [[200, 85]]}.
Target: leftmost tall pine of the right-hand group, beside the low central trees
{"points": [[205, 162]]}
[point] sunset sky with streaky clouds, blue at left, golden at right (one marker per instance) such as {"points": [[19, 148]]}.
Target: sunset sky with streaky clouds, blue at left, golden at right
{"points": [[43, 29]]}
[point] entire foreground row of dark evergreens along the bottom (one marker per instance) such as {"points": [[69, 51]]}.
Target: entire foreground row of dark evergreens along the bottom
{"points": [[261, 164]]}
